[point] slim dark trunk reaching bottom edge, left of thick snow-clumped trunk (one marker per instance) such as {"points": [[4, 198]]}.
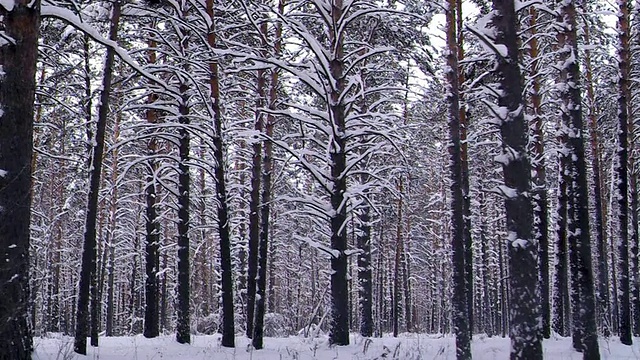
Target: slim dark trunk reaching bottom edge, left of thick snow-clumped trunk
{"points": [[460, 308]]}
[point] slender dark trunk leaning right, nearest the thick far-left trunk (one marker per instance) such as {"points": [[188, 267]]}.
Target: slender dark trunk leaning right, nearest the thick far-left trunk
{"points": [[87, 283]]}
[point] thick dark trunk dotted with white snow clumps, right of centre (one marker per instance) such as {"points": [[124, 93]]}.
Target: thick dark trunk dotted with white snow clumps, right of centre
{"points": [[522, 251]]}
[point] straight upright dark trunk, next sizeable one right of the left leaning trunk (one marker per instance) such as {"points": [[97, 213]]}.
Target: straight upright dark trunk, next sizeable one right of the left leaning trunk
{"points": [[152, 225]]}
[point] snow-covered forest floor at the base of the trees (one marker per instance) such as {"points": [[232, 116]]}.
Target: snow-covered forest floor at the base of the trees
{"points": [[405, 347]]}
